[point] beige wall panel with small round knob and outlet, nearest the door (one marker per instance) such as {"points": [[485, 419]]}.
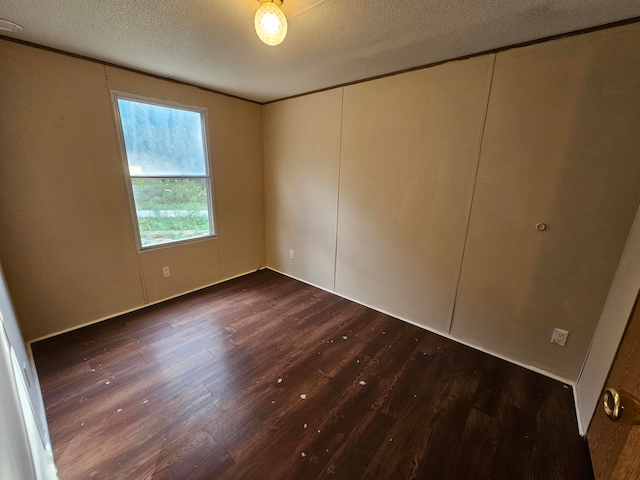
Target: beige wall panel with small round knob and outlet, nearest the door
{"points": [[557, 189]]}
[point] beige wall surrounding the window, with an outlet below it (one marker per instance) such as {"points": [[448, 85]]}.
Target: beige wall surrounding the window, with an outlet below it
{"points": [[66, 236]]}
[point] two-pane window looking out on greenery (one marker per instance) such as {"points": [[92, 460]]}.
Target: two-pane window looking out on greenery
{"points": [[167, 162]]}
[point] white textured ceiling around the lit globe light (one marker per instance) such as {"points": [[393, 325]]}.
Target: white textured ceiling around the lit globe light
{"points": [[212, 43]]}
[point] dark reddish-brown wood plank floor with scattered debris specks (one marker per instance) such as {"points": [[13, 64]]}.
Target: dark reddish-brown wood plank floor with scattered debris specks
{"points": [[264, 377]]}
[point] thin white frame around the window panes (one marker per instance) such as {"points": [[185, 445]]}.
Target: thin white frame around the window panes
{"points": [[203, 111]]}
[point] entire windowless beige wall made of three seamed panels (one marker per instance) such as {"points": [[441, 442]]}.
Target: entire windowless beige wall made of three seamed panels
{"points": [[560, 147]]}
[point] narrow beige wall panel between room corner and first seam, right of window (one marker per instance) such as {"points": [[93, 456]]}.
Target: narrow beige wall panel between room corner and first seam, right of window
{"points": [[302, 154]]}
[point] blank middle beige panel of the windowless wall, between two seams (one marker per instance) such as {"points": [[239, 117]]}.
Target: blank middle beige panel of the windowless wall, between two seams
{"points": [[410, 146]]}
